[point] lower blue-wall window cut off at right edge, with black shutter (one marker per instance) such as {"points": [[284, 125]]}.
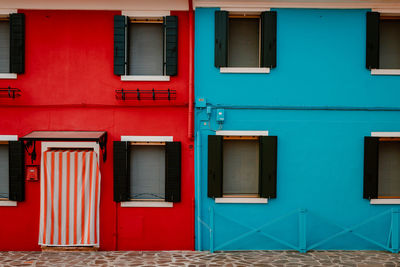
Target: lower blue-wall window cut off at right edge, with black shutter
{"points": [[382, 168]]}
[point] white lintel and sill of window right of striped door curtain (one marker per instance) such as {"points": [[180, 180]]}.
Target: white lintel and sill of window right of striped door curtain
{"points": [[137, 203]]}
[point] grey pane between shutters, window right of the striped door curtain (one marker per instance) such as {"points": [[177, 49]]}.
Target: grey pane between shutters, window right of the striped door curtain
{"points": [[147, 172]]}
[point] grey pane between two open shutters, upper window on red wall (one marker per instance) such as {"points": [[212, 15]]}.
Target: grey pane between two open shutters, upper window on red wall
{"points": [[146, 49]]}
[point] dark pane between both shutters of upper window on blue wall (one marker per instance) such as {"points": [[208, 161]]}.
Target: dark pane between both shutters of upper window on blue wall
{"points": [[243, 47]]}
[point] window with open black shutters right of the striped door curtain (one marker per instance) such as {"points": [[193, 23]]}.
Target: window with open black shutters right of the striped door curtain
{"points": [[147, 171]]}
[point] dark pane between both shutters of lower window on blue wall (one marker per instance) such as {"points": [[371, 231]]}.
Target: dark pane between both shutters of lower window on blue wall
{"points": [[240, 166]]}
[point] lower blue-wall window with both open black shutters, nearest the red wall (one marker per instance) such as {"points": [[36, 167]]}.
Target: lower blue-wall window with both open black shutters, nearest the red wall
{"points": [[242, 166]]}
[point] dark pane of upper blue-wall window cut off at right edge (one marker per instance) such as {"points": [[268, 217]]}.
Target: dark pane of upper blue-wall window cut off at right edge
{"points": [[389, 50]]}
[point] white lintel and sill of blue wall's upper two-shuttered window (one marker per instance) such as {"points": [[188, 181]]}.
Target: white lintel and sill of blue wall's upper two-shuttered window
{"points": [[248, 70]]}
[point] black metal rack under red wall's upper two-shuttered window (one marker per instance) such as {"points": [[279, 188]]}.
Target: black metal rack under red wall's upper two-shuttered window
{"points": [[138, 94]]}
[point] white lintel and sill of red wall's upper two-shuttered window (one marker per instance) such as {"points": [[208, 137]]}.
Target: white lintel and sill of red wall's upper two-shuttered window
{"points": [[144, 14]]}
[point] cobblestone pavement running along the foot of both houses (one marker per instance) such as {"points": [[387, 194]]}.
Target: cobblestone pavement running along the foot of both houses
{"points": [[193, 258]]}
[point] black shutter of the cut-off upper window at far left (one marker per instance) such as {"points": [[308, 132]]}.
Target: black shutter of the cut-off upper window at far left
{"points": [[17, 43]]}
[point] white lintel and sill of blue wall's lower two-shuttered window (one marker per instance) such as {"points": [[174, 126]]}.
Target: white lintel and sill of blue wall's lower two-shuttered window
{"points": [[241, 200]]}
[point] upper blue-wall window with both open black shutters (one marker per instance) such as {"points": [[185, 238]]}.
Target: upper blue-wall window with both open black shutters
{"points": [[245, 40]]}
